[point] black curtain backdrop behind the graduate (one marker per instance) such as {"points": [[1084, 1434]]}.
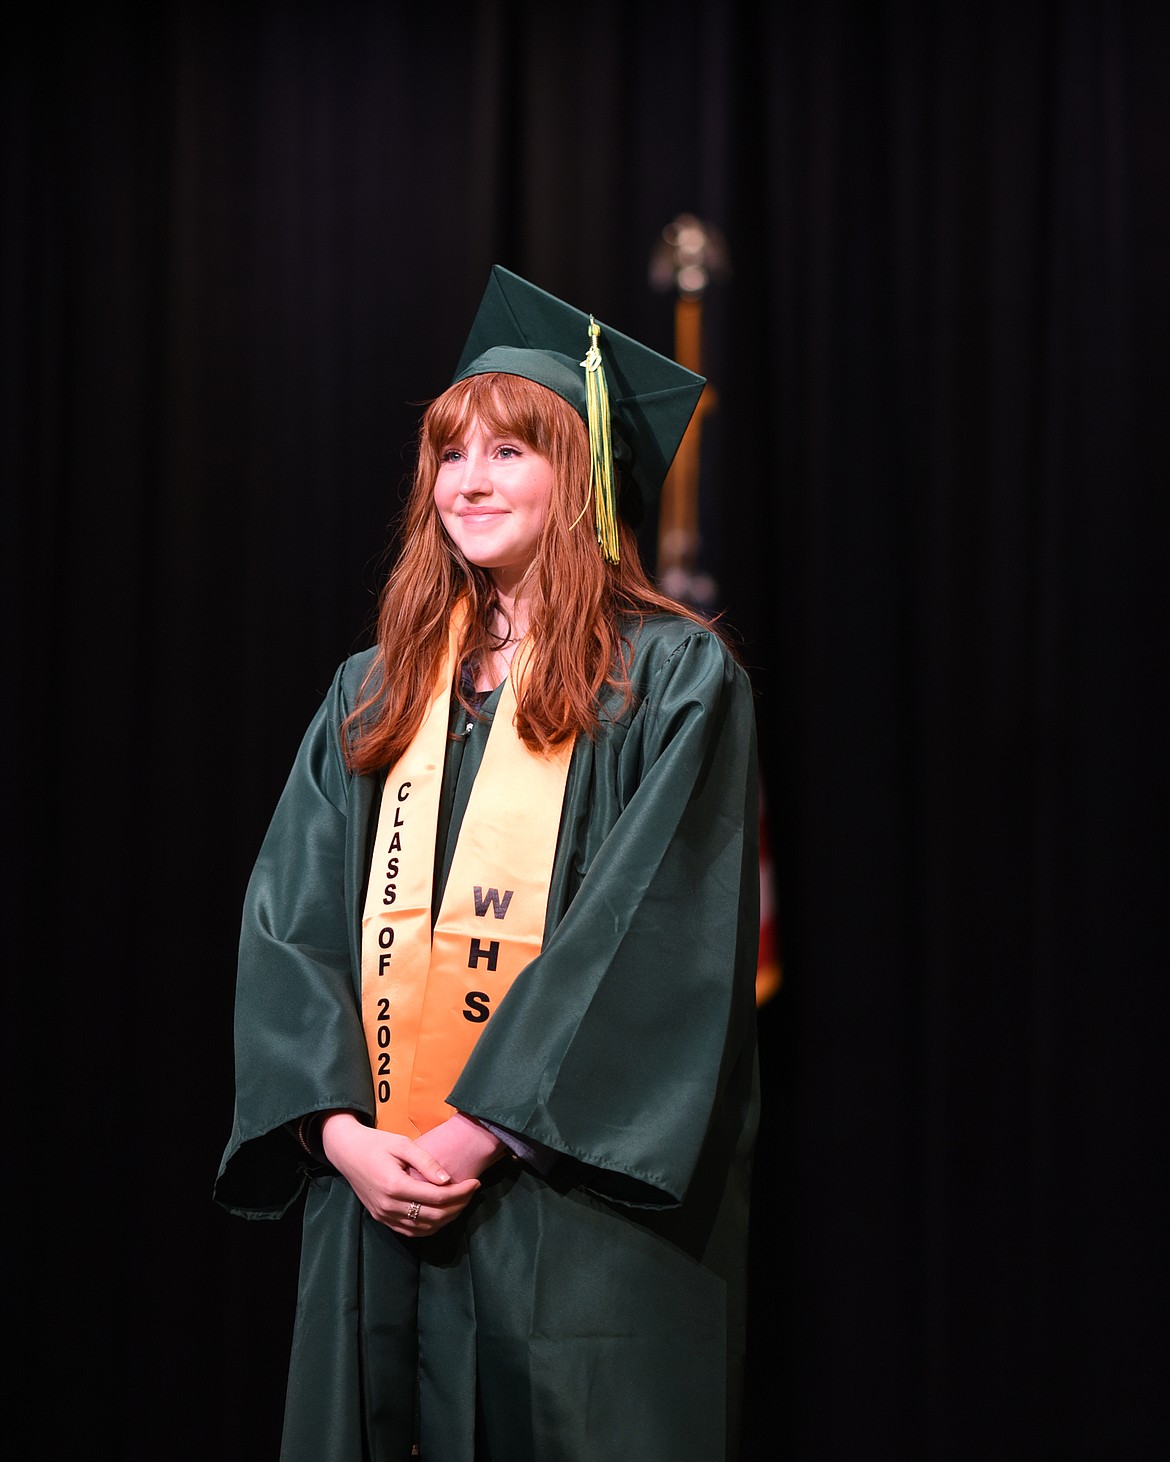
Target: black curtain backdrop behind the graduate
{"points": [[241, 245]]}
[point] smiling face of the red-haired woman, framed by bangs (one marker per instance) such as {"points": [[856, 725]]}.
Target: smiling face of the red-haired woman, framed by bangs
{"points": [[492, 495]]}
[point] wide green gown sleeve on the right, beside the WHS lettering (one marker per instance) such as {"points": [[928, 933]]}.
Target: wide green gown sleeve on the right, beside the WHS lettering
{"points": [[630, 1039]]}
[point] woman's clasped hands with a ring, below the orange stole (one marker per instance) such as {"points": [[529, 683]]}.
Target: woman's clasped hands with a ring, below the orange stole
{"points": [[413, 1188]]}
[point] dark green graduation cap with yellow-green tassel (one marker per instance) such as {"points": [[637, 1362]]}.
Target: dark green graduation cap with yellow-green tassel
{"points": [[635, 403]]}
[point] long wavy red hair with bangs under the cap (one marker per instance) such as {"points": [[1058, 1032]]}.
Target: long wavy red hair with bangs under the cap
{"points": [[575, 602]]}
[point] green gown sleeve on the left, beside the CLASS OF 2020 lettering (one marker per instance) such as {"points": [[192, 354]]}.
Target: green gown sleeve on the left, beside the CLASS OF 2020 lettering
{"points": [[299, 1043]]}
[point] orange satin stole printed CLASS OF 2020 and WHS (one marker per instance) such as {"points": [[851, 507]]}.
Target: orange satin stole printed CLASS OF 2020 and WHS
{"points": [[426, 999]]}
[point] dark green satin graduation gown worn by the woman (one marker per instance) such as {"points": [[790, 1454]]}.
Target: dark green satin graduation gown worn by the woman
{"points": [[597, 1312]]}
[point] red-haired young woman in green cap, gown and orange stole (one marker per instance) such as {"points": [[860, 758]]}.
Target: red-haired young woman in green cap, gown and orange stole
{"points": [[497, 991]]}
